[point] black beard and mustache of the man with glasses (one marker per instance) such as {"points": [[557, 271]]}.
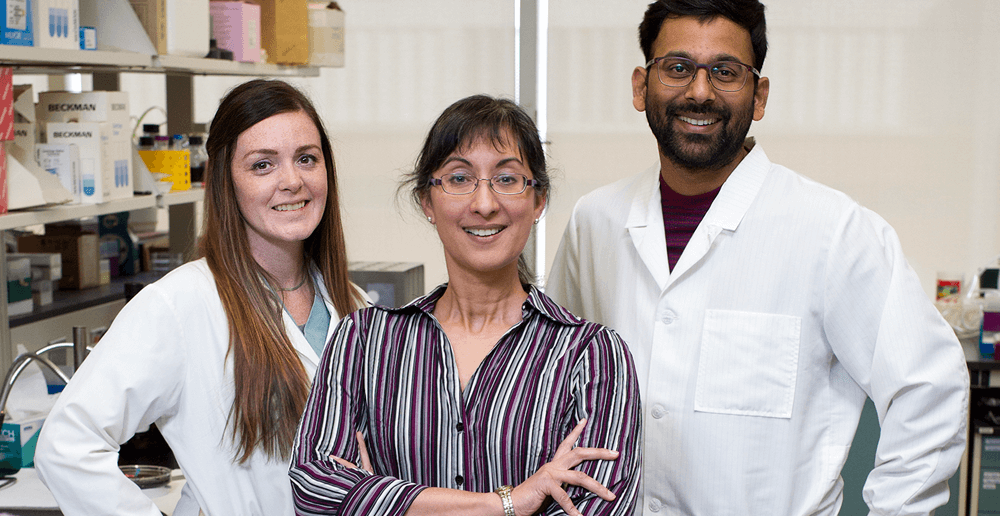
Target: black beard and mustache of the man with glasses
{"points": [[700, 151]]}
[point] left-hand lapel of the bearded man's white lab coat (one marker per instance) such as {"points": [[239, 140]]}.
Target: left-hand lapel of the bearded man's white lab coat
{"points": [[645, 227]]}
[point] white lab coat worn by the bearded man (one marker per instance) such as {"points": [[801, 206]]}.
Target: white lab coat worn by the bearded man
{"points": [[788, 307]]}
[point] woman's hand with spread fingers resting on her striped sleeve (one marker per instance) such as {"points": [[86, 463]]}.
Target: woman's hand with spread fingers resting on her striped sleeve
{"points": [[551, 478]]}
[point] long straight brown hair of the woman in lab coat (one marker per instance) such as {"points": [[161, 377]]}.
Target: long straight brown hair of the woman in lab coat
{"points": [[270, 381]]}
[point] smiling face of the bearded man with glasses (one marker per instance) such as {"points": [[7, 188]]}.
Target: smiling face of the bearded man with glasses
{"points": [[697, 126]]}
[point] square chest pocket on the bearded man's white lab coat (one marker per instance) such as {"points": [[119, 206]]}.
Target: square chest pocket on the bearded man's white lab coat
{"points": [[748, 364]]}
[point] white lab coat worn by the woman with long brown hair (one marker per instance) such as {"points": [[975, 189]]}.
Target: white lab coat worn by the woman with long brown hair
{"points": [[163, 361]]}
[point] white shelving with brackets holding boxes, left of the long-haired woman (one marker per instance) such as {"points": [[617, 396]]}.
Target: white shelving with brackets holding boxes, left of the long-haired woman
{"points": [[105, 66]]}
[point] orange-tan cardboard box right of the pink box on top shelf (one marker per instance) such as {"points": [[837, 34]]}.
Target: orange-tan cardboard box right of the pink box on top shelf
{"points": [[284, 30]]}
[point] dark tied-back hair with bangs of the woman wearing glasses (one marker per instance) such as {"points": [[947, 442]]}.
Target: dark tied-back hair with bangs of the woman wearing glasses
{"points": [[467, 121]]}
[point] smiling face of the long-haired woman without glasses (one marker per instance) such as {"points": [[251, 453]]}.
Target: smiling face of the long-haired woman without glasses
{"points": [[280, 180]]}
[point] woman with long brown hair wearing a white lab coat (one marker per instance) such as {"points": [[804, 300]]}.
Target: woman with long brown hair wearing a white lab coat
{"points": [[219, 353]]}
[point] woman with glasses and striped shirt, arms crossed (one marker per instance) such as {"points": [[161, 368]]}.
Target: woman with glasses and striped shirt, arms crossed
{"points": [[484, 396]]}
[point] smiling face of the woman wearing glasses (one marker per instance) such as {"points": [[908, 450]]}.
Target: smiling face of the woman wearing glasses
{"points": [[484, 232]]}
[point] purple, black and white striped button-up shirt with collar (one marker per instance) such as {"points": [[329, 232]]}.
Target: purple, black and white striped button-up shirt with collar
{"points": [[391, 374]]}
